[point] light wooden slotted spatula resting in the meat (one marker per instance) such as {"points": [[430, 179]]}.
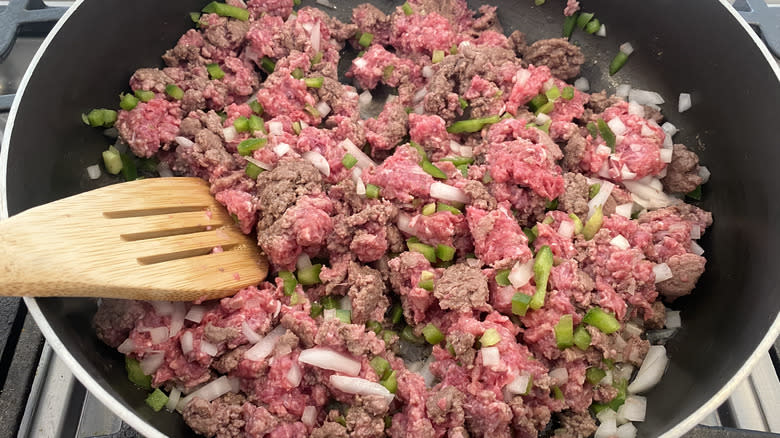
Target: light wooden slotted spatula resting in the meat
{"points": [[151, 239]]}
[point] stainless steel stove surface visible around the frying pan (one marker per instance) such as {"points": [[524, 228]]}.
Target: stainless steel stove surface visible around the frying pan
{"points": [[41, 398]]}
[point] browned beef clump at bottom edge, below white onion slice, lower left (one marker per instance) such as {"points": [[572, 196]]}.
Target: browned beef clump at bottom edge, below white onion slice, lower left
{"points": [[217, 418]]}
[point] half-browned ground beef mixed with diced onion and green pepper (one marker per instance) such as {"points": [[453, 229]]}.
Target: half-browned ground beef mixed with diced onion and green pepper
{"points": [[485, 257]]}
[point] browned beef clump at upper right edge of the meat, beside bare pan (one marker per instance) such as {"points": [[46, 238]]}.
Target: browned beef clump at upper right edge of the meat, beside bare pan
{"points": [[563, 58]]}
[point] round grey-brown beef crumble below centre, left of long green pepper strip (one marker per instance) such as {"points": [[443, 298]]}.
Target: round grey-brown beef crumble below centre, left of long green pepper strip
{"points": [[461, 288]]}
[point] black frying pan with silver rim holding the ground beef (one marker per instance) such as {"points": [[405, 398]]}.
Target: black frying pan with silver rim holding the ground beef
{"points": [[702, 47]]}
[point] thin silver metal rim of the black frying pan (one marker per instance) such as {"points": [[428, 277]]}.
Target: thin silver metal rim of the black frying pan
{"points": [[146, 429]]}
